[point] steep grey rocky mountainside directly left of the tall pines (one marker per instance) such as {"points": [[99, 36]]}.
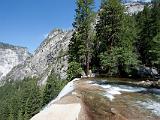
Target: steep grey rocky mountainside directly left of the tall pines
{"points": [[50, 55]]}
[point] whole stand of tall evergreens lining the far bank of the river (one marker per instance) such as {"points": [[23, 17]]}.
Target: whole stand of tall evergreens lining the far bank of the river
{"points": [[113, 42]]}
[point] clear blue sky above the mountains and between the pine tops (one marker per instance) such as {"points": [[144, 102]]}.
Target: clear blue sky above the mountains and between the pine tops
{"points": [[27, 22]]}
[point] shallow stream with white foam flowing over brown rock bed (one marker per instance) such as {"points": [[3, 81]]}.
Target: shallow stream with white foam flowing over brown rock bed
{"points": [[135, 103]]}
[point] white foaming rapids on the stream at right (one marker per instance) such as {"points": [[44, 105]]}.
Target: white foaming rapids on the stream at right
{"points": [[150, 102]]}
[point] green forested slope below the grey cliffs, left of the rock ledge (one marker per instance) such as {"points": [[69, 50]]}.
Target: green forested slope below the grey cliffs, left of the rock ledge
{"points": [[20, 100]]}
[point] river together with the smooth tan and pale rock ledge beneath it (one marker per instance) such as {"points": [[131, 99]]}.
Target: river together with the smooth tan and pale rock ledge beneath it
{"points": [[104, 99]]}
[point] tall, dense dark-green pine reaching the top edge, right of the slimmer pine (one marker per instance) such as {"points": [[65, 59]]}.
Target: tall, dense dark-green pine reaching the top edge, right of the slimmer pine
{"points": [[108, 31]]}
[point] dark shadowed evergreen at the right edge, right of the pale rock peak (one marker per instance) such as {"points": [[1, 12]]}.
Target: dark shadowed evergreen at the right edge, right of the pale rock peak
{"points": [[149, 25]]}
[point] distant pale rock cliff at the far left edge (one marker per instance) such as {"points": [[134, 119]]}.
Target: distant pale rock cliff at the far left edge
{"points": [[11, 56]]}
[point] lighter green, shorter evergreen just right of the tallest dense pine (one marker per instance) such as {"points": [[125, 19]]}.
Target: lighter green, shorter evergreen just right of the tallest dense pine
{"points": [[127, 55]]}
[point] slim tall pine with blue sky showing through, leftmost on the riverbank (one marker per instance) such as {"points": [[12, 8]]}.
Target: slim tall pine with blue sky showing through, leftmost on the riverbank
{"points": [[81, 42]]}
